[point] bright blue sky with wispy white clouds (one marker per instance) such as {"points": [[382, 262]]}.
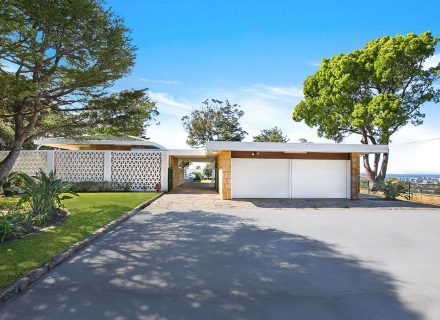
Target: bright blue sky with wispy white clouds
{"points": [[258, 53]]}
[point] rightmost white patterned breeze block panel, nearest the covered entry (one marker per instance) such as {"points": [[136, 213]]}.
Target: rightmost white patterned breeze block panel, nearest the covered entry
{"points": [[139, 170]]}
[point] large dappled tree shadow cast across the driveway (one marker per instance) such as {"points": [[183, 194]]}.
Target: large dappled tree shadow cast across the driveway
{"points": [[201, 265]]}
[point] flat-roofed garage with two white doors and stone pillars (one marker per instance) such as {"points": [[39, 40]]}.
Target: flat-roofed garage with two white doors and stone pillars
{"points": [[289, 170]]}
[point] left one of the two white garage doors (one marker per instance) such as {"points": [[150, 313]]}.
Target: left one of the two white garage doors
{"points": [[260, 178]]}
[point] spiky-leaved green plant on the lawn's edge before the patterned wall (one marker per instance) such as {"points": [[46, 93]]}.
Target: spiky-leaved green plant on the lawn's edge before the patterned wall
{"points": [[44, 192]]}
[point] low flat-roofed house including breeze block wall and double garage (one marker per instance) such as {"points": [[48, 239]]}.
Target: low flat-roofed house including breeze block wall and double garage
{"points": [[243, 169]]}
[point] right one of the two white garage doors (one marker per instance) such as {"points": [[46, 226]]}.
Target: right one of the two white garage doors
{"points": [[320, 179]]}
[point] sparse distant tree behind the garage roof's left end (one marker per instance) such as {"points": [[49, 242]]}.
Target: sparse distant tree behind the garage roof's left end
{"points": [[214, 120]]}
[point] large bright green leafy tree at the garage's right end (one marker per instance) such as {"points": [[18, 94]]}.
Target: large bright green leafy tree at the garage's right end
{"points": [[372, 92]]}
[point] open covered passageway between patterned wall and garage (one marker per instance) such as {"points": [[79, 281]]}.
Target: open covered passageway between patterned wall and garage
{"points": [[192, 176]]}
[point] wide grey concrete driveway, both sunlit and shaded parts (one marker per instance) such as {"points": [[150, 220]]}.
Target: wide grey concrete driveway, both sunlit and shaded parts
{"points": [[251, 262]]}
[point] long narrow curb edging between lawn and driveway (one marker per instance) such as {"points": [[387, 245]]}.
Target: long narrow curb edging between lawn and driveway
{"points": [[24, 282]]}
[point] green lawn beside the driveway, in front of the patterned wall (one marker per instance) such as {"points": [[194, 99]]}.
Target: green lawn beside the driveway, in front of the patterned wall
{"points": [[88, 212]]}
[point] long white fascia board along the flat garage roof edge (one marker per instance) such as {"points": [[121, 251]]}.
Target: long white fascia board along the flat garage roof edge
{"points": [[295, 147]]}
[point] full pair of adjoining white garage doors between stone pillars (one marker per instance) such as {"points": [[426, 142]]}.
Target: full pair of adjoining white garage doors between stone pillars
{"points": [[284, 178]]}
